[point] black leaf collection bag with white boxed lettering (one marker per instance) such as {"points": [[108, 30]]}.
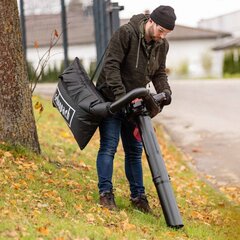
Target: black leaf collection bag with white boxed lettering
{"points": [[80, 104]]}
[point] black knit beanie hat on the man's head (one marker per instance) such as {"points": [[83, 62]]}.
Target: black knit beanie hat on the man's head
{"points": [[164, 16]]}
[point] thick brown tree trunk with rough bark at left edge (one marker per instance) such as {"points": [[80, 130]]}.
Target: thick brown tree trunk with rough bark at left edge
{"points": [[17, 123]]}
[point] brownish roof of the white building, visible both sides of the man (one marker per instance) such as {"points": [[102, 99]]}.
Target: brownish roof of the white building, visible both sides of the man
{"points": [[81, 29]]}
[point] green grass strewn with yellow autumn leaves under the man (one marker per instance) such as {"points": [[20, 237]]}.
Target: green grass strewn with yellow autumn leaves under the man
{"points": [[55, 195]]}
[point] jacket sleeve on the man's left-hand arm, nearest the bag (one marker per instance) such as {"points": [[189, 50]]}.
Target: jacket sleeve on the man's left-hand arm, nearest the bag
{"points": [[117, 50]]}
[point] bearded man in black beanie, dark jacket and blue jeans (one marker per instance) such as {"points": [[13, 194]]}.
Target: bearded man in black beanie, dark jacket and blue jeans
{"points": [[135, 56]]}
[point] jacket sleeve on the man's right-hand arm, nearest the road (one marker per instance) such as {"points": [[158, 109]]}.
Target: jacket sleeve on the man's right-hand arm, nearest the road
{"points": [[160, 79]]}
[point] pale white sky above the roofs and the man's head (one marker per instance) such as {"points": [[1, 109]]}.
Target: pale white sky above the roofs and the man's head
{"points": [[188, 12]]}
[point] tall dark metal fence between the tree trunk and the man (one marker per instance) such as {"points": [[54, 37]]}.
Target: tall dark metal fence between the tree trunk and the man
{"points": [[81, 28]]}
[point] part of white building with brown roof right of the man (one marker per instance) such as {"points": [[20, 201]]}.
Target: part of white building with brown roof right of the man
{"points": [[191, 52]]}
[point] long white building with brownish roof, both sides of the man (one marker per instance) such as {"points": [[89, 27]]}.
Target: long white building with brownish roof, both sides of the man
{"points": [[191, 53]]}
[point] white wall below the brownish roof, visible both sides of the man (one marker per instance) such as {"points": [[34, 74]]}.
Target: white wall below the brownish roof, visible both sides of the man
{"points": [[179, 51]]}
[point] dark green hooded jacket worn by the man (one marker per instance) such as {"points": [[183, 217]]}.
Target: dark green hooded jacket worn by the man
{"points": [[128, 64]]}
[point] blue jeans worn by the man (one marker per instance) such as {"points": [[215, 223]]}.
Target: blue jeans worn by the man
{"points": [[110, 130]]}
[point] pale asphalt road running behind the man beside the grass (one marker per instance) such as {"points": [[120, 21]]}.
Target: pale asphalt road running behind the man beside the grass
{"points": [[204, 121]]}
